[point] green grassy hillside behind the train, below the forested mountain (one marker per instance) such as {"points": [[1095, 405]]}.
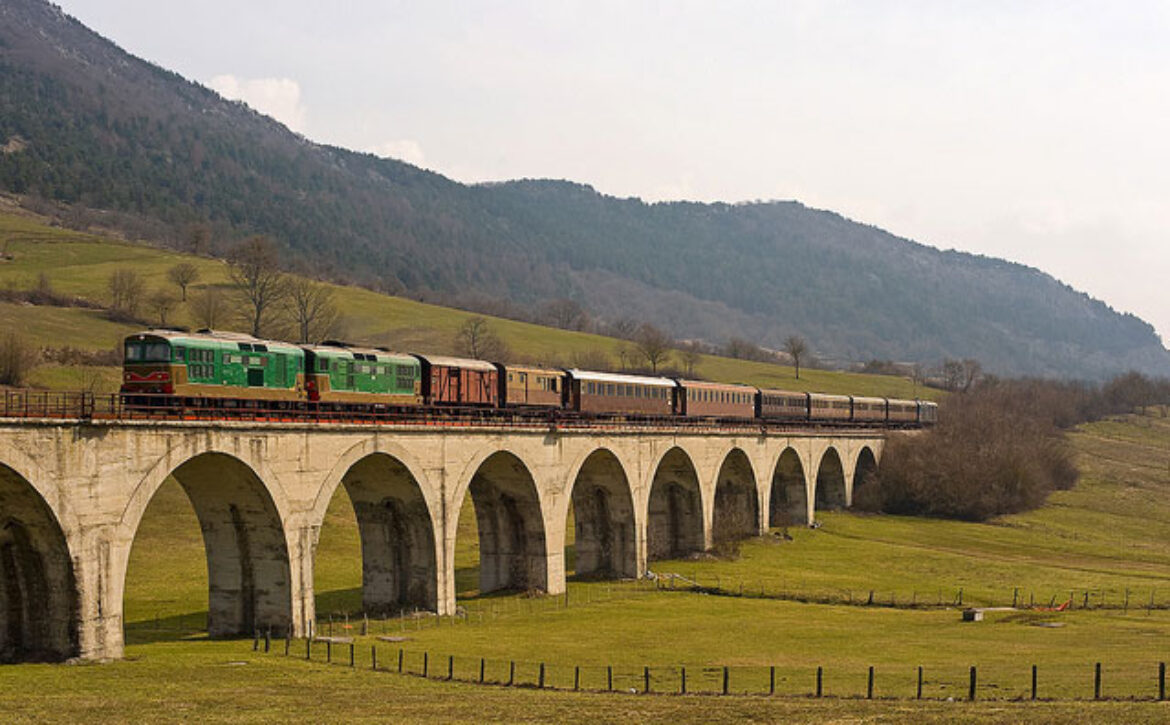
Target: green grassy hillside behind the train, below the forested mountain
{"points": [[81, 265]]}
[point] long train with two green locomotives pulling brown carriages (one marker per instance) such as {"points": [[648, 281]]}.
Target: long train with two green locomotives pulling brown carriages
{"points": [[235, 372]]}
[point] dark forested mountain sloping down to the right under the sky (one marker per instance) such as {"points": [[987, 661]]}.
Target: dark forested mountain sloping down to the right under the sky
{"points": [[85, 123]]}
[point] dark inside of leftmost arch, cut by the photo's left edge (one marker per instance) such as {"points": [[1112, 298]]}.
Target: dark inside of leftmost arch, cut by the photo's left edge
{"points": [[39, 598]]}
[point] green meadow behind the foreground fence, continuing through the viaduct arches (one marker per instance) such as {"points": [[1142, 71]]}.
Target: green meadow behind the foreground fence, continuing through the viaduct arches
{"points": [[1106, 536]]}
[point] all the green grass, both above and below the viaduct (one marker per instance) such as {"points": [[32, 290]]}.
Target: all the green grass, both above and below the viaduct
{"points": [[1107, 537]]}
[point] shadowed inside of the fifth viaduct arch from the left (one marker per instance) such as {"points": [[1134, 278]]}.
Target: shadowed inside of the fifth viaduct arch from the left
{"points": [[607, 544]]}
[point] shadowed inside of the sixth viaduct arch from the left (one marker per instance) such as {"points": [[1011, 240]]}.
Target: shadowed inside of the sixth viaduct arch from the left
{"points": [[675, 521]]}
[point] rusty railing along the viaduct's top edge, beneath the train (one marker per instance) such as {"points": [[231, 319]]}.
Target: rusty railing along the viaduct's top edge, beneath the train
{"points": [[87, 408]]}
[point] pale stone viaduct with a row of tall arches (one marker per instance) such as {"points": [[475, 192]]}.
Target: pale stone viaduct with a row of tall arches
{"points": [[73, 494]]}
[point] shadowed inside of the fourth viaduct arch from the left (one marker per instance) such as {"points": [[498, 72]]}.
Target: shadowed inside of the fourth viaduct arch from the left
{"points": [[508, 514]]}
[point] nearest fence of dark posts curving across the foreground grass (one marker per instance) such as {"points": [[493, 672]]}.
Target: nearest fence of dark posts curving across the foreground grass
{"points": [[1095, 681]]}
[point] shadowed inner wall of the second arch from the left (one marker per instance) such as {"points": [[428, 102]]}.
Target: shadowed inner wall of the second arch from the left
{"points": [[249, 565]]}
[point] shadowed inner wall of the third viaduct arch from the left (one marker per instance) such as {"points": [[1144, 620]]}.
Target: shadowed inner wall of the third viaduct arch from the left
{"points": [[397, 533]]}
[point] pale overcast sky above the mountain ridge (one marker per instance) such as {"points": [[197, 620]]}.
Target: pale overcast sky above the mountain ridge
{"points": [[1034, 132]]}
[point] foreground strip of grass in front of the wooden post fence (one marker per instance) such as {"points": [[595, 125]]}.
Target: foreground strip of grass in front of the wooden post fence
{"points": [[221, 682]]}
